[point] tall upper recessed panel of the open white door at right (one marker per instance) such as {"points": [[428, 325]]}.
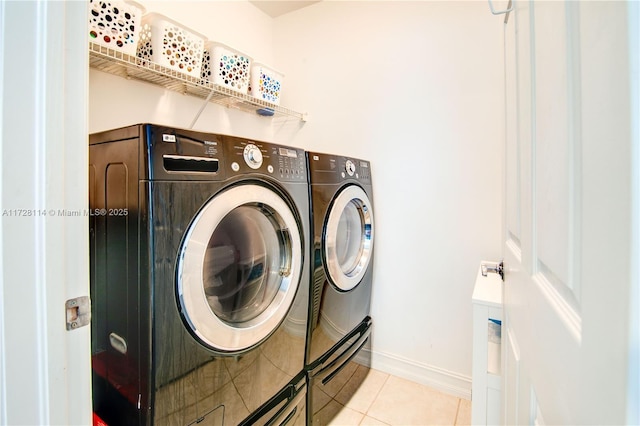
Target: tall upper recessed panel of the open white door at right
{"points": [[556, 144]]}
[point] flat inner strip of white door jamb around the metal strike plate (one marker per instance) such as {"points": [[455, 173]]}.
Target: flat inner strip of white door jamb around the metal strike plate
{"points": [[72, 368]]}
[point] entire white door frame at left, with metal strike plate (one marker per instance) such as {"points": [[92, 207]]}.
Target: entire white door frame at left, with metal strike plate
{"points": [[44, 369]]}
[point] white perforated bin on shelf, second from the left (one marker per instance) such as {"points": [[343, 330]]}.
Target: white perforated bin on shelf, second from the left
{"points": [[168, 43]]}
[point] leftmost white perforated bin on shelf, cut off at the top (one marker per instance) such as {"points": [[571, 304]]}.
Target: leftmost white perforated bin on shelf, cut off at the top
{"points": [[115, 24]]}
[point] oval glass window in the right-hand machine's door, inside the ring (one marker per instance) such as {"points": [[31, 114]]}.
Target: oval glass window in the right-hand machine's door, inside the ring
{"points": [[350, 228]]}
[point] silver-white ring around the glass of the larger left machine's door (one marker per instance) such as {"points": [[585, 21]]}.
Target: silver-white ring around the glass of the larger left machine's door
{"points": [[197, 313]]}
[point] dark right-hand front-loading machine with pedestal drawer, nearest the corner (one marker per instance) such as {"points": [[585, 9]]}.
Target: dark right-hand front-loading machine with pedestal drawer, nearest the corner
{"points": [[342, 229]]}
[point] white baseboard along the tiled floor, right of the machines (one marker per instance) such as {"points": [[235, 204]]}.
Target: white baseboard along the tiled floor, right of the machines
{"points": [[437, 378]]}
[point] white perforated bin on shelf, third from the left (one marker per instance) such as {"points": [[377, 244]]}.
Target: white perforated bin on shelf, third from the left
{"points": [[226, 67]]}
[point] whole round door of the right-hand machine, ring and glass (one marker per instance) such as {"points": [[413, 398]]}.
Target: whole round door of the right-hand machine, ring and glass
{"points": [[348, 238]]}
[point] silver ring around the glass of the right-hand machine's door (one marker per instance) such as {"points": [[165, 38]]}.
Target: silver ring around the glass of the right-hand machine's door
{"points": [[347, 281]]}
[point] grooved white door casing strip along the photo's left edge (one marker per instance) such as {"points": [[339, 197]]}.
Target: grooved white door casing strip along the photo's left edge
{"points": [[26, 353]]}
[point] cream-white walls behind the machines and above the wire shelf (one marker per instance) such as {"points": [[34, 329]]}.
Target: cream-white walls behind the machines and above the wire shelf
{"points": [[415, 87]]}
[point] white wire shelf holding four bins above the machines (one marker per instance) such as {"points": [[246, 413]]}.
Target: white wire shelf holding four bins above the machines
{"points": [[131, 67]]}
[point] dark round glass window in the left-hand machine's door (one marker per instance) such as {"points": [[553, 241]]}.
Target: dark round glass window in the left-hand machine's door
{"points": [[246, 258]]}
